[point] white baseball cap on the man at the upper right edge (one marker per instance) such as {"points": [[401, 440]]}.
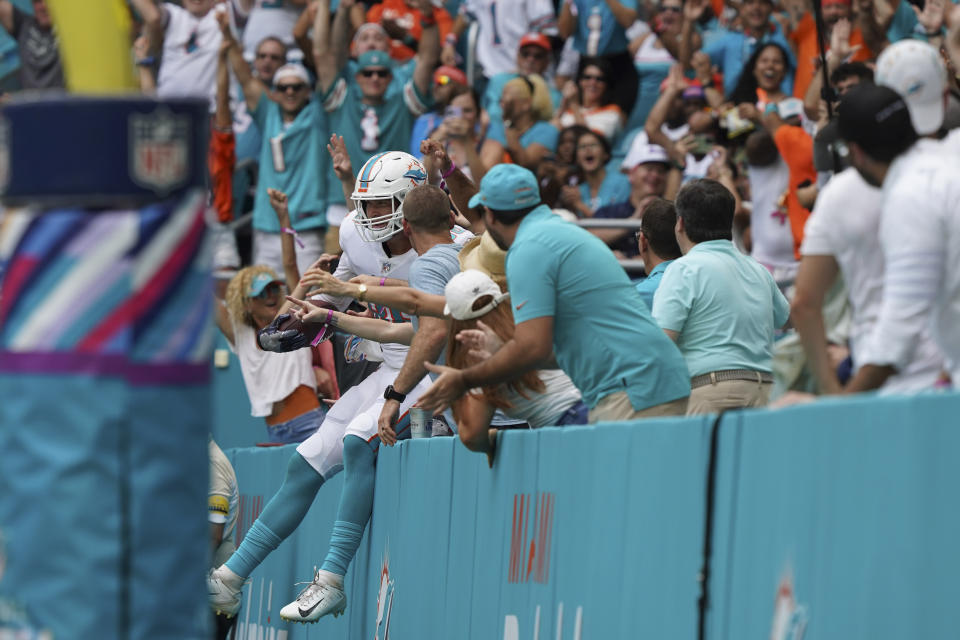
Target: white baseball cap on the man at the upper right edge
{"points": [[914, 70]]}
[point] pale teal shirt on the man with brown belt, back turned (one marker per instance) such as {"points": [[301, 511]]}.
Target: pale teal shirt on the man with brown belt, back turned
{"points": [[725, 306]]}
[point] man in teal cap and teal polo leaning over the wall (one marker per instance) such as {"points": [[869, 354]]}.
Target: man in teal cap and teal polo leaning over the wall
{"points": [[572, 300]]}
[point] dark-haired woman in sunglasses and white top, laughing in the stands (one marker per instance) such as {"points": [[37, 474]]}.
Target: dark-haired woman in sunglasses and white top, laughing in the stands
{"points": [[589, 102]]}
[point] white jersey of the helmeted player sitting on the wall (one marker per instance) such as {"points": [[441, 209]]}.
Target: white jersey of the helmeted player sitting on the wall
{"points": [[368, 258]]}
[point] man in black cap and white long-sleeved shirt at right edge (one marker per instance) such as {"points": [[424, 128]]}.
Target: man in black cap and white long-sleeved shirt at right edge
{"points": [[919, 233]]}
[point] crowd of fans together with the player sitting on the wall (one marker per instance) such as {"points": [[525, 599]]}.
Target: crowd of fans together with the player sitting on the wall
{"points": [[413, 167]]}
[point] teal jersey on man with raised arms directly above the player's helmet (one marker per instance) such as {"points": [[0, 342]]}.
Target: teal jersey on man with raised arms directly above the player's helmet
{"points": [[369, 129]]}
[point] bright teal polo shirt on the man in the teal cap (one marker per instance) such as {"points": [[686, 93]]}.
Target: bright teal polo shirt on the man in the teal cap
{"points": [[603, 335]]}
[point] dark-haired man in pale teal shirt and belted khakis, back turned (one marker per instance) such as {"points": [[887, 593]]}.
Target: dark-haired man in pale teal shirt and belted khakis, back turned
{"points": [[719, 305]]}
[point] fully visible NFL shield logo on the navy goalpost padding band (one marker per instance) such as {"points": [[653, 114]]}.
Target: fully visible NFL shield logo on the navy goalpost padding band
{"points": [[159, 150]]}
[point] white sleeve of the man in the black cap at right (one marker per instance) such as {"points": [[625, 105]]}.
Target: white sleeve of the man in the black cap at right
{"points": [[913, 236]]}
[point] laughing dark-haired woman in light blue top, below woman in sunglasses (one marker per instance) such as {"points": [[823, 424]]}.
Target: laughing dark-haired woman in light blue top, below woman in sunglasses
{"points": [[592, 186]]}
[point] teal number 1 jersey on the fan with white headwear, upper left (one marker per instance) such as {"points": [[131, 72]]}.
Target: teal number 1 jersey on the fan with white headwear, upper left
{"points": [[293, 159]]}
